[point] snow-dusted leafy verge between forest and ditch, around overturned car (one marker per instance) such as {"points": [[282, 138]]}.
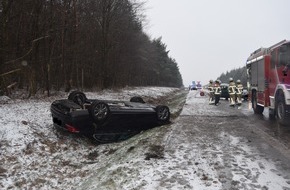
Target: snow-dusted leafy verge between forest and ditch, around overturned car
{"points": [[34, 155]]}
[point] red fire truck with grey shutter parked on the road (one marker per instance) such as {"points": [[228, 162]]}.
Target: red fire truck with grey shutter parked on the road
{"points": [[269, 81]]}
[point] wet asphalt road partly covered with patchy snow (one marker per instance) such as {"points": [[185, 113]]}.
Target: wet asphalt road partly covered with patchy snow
{"points": [[228, 148]]}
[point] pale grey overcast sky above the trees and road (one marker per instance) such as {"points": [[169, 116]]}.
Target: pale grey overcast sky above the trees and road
{"points": [[209, 37]]}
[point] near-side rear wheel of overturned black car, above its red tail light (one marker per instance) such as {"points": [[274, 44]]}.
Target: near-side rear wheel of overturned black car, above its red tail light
{"points": [[99, 111]]}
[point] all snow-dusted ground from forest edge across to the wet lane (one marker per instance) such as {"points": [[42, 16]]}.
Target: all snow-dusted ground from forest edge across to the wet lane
{"points": [[182, 155]]}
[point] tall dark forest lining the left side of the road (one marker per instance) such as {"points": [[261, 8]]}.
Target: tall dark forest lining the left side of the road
{"points": [[84, 44]]}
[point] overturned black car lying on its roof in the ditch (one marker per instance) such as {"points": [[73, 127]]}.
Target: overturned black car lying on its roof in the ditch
{"points": [[107, 120]]}
